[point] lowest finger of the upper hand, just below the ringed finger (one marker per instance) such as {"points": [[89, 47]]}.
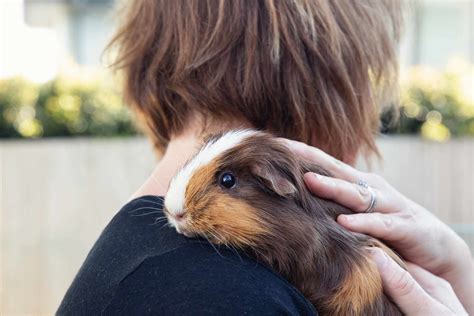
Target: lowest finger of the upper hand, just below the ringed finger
{"points": [[383, 226]]}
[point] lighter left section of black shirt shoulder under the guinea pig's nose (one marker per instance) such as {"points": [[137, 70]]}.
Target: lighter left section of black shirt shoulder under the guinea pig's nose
{"points": [[136, 232]]}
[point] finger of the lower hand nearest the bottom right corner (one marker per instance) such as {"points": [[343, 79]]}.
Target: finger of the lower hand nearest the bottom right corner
{"points": [[436, 287]]}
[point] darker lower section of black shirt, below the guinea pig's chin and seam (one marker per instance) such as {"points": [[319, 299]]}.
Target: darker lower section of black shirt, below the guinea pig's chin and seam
{"points": [[198, 279]]}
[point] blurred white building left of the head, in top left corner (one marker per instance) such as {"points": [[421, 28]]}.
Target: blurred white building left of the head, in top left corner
{"points": [[39, 38]]}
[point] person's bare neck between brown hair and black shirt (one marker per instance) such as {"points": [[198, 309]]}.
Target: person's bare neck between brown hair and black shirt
{"points": [[179, 150]]}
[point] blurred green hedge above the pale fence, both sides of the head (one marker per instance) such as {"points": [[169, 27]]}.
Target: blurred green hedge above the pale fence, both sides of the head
{"points": [[434, 104]]}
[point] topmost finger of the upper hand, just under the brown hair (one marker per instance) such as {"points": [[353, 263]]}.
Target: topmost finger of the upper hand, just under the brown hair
{"points": [[335, 167]]}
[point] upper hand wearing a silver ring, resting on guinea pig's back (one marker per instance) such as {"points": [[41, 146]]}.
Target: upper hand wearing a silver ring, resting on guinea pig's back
{"points": [[416, 234]]}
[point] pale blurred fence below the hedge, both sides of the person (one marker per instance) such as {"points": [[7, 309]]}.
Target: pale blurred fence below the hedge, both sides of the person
{"points": [[57, 195]]}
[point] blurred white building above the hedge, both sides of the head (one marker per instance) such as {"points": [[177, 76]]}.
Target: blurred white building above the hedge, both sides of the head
{"points": [[39, 37]]}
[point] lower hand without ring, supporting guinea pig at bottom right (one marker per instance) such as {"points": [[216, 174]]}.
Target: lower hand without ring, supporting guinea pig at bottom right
{"points": [[416, 291]]}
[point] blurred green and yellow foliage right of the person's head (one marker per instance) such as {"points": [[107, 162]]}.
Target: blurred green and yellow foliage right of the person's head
{"points": [[437, 104]]}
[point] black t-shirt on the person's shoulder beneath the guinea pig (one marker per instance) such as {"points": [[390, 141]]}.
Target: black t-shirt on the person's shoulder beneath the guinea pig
{"points": [[141, 266]]}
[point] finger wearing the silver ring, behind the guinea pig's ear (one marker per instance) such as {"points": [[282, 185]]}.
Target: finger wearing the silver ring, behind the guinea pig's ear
{"points": [[350, 195]]}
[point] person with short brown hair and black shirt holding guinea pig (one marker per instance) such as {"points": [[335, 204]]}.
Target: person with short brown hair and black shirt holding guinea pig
{"points": [[314, 71]]}
